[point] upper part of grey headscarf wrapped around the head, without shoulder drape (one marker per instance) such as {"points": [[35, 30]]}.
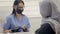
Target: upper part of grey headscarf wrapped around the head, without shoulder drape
{"points": [[49, 9]]}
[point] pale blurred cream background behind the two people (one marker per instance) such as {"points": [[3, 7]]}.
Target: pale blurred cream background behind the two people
{"points": [[31, 10]]}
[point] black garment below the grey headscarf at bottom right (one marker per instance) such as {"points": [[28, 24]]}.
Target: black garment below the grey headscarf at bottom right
{"points": [[45, 29]]}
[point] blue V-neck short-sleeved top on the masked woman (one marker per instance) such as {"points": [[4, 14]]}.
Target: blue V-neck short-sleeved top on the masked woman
{"points": [[12, 22]]}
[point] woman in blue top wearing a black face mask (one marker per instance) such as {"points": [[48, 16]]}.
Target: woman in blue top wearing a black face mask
{"points": [[17, 22]]}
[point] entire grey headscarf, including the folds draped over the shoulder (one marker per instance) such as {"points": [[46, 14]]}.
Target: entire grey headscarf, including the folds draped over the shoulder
{"points": [[50, 13]]}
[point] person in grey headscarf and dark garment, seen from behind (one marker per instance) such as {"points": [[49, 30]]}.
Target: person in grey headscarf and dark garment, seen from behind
{"points": [[51, 18]]}
